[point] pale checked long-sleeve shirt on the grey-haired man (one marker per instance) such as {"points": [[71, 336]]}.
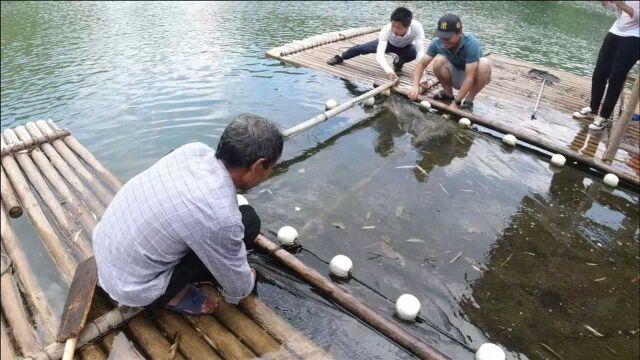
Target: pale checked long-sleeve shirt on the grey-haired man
{"points": [[187, 200]]}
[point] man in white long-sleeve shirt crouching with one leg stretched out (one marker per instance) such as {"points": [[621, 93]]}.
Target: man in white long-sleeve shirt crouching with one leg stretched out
{"points": [[403, 36]]}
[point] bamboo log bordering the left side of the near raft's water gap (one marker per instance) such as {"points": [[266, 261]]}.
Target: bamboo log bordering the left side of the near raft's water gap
{"points": [[32, 288]]}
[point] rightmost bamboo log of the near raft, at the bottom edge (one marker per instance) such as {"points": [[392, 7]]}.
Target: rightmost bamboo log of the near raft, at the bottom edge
{"points": [[281, 330]]}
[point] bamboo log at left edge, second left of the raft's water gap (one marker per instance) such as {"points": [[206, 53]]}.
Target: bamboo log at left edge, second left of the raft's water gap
{"points": [[13, 309]]}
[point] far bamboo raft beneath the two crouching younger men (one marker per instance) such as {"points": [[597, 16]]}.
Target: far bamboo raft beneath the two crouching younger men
{"points": [[505, 105]]}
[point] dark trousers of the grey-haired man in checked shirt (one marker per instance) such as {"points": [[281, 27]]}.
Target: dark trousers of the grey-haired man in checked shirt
{"points": [[191, 270]]}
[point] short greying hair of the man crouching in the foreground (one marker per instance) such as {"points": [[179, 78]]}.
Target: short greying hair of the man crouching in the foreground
{"points": [[247, 139]]}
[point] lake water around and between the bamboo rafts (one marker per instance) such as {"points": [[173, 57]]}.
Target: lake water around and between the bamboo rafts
{"points": [[496, 245]]}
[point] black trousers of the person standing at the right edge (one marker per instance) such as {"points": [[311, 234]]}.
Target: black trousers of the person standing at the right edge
{"points": [[616, 57]]}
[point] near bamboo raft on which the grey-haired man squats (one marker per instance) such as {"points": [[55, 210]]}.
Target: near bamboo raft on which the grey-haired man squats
{"points": [[64, 191]]}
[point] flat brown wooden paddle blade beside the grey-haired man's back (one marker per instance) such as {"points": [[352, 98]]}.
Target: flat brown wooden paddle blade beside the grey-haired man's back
{"points": [[78, 300]]}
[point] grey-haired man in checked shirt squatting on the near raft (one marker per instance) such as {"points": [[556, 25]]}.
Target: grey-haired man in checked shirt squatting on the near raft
{"points": [[178, 222]]}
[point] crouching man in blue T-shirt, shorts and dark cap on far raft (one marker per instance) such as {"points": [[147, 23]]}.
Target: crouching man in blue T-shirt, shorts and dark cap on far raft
{"points": [[457, 63]]}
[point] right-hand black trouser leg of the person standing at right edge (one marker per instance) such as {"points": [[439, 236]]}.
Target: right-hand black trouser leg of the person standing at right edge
{"points": [[627, 53]]}
